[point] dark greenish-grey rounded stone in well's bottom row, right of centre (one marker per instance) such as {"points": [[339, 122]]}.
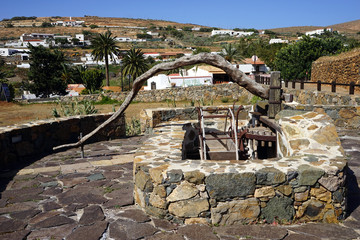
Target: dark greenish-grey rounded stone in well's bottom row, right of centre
{"points": [[280, 208]]}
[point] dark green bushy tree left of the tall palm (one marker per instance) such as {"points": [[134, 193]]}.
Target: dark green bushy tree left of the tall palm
{"points": [[45, 72]]}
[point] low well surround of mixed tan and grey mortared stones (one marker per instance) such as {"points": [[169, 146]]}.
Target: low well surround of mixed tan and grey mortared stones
{"points": [[305, 183]]}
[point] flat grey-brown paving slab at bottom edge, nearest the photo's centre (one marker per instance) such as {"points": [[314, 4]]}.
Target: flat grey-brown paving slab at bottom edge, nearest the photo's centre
{"points": [[197, 232]]}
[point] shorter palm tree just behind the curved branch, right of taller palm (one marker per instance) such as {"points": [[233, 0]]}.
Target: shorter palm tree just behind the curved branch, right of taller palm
{"points": [[134, 64]]}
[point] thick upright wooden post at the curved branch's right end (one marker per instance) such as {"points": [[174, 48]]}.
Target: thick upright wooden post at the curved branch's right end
{"points": [[274, 95]]}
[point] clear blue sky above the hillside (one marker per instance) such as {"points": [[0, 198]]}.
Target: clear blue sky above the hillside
{"points": [[259, 14]]}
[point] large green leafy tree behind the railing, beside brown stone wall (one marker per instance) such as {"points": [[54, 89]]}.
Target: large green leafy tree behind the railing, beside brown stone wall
{"points": [[294, 61]]}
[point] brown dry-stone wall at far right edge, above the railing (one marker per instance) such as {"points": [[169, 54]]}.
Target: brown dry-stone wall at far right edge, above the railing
{"points": [[344, 68]]}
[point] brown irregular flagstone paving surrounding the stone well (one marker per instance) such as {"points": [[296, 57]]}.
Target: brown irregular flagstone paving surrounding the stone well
{"points": [[63, 196]]}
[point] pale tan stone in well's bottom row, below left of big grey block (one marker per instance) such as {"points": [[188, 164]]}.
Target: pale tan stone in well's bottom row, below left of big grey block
{"points": [[189, 208]]}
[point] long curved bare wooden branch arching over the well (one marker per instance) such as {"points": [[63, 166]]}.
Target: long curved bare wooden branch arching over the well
{"points": [[215, 60]]}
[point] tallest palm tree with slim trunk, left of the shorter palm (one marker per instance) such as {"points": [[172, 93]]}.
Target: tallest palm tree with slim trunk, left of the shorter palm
{"points": [[104, 46]]}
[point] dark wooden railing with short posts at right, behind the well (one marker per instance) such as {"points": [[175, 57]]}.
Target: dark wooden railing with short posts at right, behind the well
{"points": [[333, 84]]}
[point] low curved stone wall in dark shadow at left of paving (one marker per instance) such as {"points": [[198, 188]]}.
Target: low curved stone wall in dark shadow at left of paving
{"points": [[20, 143]]}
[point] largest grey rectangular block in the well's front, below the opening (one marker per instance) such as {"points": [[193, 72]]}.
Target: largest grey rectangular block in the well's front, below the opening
{"points": [[229, 185]]}
